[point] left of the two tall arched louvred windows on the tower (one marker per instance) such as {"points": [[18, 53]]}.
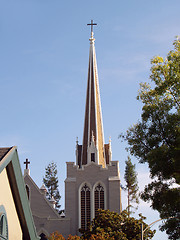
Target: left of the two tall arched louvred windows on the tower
{"points": [[85, 206]]}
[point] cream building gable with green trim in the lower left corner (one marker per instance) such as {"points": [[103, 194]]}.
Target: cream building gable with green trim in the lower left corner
{"points": [[13, 197]]}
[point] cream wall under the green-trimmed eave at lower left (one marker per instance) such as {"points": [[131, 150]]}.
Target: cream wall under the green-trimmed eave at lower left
{"points": [[7, 201]]}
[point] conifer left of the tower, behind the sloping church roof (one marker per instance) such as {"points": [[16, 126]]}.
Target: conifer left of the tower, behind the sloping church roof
{"points": [[51, 182]]}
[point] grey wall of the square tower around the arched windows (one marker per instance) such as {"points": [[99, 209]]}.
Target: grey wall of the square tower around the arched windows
{"points": [[91, 174]]}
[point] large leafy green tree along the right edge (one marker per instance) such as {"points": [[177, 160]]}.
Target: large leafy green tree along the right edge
{"points": [[155, 139]]}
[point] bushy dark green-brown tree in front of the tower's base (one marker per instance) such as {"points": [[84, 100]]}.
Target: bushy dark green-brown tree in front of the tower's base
{"points": [[111, 225]]}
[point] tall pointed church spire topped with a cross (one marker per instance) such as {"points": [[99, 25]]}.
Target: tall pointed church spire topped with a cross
{"points": [[93, 147]]}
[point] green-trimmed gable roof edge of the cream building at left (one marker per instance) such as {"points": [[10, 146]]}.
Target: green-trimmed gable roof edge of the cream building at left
{"points": [[9, 160]]}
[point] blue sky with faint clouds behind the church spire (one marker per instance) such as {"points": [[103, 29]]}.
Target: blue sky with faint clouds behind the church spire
{"points": [[44, 50]]}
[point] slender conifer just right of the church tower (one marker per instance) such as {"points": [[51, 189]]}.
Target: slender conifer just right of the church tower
{"points": [[131, 186]]}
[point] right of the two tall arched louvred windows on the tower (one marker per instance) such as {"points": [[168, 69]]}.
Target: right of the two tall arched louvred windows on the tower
{"points": [[98, 198]]}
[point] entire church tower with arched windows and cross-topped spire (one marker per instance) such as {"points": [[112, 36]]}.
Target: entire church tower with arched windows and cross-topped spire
{"points": [[93, 182]]}
